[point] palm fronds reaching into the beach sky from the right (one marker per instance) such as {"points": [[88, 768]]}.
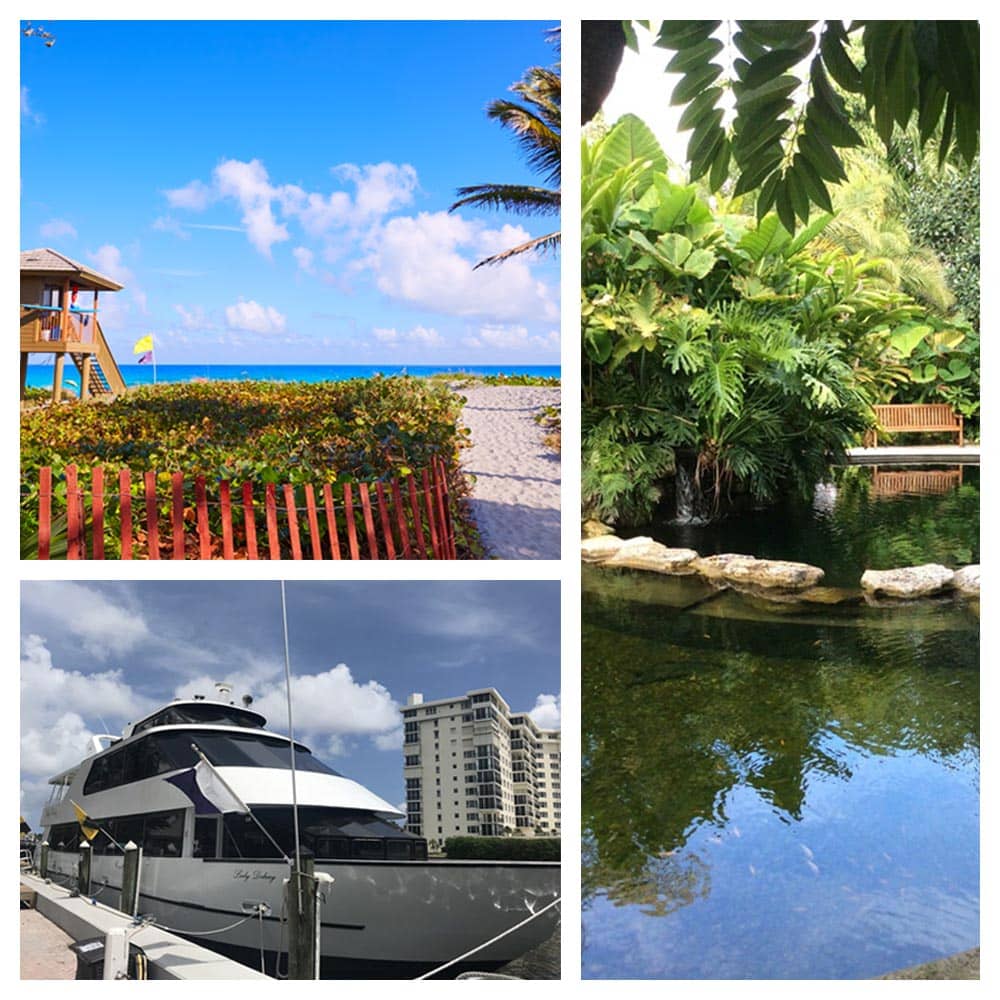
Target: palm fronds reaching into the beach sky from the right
{"points": [[535, 124]]}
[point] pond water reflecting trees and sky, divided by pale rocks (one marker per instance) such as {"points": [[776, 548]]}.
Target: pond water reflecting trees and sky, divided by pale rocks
{"points": [[783, 792]]}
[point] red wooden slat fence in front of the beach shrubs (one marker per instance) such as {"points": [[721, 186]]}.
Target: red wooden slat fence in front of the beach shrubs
{"points": [[400, 519]]}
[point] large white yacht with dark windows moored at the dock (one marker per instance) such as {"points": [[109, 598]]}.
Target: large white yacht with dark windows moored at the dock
{"points": [[391, 912]]}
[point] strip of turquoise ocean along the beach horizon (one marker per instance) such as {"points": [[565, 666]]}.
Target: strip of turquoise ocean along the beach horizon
{"points": [[40, 376]]}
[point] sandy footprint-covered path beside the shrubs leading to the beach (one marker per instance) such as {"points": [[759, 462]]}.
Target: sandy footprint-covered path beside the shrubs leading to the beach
{"points": [[515, 498]]}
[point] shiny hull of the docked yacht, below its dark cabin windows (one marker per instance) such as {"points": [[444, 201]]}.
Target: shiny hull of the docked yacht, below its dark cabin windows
{"points": [[379, 918]]}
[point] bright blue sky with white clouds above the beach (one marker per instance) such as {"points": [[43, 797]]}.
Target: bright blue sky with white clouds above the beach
{"points": [[277, 191]]}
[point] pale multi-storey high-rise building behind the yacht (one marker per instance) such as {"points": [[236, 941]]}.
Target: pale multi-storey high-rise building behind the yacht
{"points": [[473, 767]]}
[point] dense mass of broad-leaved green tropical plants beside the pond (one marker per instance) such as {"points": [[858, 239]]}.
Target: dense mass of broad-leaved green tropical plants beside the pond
{"points": [[733, 352]]}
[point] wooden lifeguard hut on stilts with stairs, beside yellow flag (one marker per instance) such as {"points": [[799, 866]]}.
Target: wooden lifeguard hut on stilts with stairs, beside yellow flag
{"points": [[56, 320]]}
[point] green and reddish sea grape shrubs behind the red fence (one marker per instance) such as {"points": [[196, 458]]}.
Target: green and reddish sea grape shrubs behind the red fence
{"points": [[260, 432]]}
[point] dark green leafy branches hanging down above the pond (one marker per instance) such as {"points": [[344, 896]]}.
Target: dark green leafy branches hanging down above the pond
{"points": [[789, 149]]}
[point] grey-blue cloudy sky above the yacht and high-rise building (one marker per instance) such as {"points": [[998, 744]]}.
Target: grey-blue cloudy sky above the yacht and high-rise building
{"points": [[95, 655]]}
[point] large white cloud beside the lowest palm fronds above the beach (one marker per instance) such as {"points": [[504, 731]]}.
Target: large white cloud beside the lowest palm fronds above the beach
{"points": [[428, 260]]}
